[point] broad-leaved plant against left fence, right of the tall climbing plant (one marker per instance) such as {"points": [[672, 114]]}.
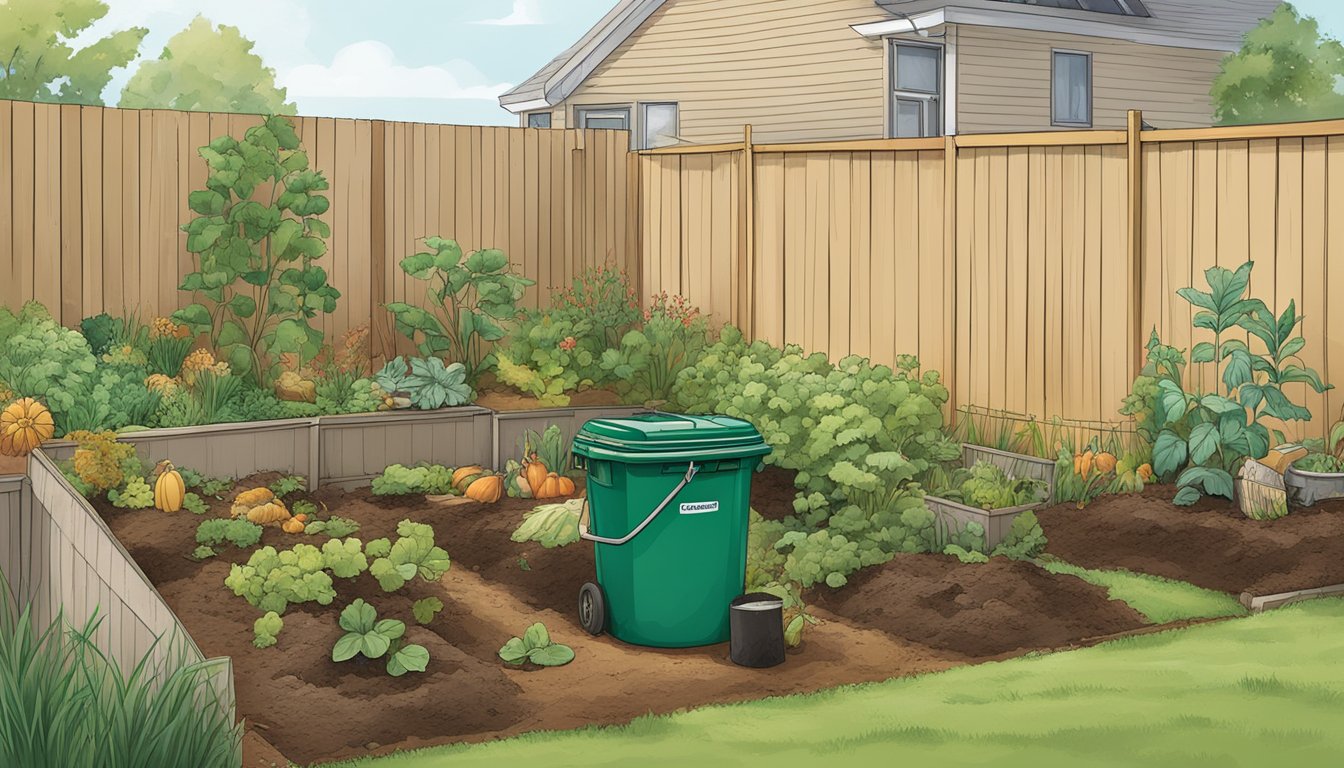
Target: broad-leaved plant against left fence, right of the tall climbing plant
{"points": [[466, 301]]}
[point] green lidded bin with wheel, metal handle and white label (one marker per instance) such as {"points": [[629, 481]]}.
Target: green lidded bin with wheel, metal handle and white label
{"points": [[669, 510]]}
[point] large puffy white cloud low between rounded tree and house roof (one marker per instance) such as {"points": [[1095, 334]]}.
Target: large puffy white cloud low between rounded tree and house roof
{"points": [[370, 71]]}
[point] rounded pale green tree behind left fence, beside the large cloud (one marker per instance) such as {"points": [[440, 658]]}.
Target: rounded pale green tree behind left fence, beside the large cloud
{"points": [[208, 69]]}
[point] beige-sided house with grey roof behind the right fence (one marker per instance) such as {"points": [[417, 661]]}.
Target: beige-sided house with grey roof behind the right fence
{"points": [[804, 71]]}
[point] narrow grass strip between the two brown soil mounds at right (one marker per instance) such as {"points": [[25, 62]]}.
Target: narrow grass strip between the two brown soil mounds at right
{"points": [[1161, 601]]}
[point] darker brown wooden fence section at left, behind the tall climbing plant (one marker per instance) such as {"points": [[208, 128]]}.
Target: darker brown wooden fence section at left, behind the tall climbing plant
{"points": [[92, 198]]}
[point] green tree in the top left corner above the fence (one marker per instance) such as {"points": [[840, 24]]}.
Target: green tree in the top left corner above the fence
{"points": [[37, 61]]}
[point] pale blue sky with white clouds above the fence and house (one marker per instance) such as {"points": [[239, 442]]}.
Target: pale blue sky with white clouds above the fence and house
{"points": [[429, 61]]}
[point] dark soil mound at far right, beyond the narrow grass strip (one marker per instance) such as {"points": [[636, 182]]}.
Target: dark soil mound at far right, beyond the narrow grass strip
{"points": [[1212, 545]]}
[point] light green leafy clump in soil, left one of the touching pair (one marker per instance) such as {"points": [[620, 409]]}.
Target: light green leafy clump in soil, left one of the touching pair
{"points": [[274, 580]]}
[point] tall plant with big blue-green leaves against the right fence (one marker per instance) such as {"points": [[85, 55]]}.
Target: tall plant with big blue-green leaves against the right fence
{"points": [[1204, 436]]}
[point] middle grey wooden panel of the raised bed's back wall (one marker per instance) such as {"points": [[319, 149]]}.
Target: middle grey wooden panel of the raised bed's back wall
{"points": [[354, 450]]}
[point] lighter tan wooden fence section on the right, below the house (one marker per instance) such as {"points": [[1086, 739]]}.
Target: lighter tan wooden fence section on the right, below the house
{"points": [[1027, 268]]}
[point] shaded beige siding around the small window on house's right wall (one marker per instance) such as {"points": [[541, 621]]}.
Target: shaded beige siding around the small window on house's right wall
{"points": [[1005, 81]]}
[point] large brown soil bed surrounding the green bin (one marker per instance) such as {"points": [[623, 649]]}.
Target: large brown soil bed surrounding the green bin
{"points": [[314, 711]]}
